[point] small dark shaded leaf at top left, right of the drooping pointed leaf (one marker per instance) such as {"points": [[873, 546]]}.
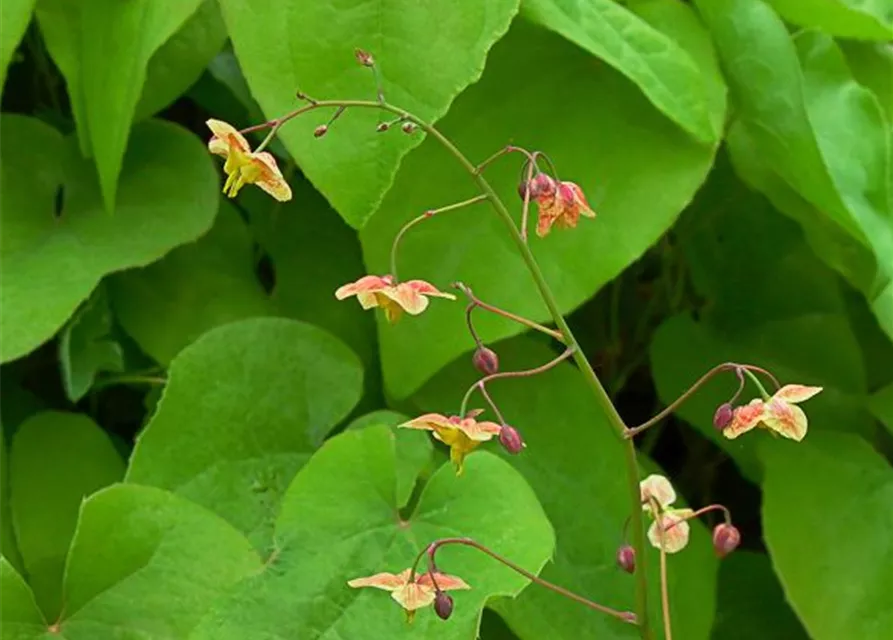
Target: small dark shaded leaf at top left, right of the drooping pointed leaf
{"points": [[181, 60]]}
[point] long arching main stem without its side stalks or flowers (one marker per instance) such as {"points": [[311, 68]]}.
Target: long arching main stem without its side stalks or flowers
{"points": [[595, 385]]}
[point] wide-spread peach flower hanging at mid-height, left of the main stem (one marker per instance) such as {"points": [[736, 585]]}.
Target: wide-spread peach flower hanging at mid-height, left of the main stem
{"points": [[394, 299]]}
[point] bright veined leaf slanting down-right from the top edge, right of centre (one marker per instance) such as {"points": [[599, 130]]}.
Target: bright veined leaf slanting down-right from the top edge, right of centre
{"points": [[662, 69]]}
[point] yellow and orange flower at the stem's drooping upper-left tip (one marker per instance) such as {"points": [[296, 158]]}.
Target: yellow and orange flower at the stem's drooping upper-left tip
{"points": [[243, 166]]}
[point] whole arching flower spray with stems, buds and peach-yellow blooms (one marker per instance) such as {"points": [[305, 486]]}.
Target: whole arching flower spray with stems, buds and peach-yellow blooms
{"points": [[560, 205]]}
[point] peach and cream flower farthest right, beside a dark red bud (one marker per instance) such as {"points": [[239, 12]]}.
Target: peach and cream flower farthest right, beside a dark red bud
{"points": [[779, 413]]}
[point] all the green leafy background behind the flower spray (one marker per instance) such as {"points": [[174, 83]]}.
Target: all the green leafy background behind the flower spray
{"points": [[197, 438]]}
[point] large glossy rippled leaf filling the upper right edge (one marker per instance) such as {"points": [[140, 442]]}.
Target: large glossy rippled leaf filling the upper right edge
{"points": [[791, 123]]}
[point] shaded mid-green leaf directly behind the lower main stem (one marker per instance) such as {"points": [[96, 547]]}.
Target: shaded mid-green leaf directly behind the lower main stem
{"points": [[575, 464]]}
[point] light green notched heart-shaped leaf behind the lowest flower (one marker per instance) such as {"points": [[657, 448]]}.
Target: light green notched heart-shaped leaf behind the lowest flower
{"points": [[339, 521]]}
